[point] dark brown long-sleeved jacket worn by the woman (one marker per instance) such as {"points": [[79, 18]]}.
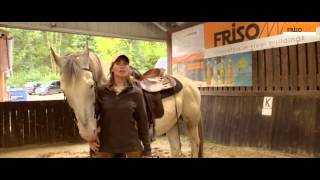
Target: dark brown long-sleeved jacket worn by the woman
{"points": [[124, 124]]}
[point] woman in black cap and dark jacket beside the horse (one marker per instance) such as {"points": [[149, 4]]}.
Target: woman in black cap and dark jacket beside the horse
{"points": [[124, 125]]}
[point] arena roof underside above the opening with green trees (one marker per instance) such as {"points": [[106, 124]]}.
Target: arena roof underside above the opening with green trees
{"points": [[155, 31]]}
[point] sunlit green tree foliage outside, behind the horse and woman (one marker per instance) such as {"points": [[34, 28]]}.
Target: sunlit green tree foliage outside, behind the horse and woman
{"points": [[32, 55]]}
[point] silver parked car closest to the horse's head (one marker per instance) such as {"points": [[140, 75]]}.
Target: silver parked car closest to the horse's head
{"points": [[51, 87]]}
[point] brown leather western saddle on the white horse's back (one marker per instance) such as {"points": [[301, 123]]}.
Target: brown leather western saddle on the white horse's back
{"points": [[156, 86]]}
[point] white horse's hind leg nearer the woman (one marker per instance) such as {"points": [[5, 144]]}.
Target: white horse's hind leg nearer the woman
{"points": [[174, 141]]}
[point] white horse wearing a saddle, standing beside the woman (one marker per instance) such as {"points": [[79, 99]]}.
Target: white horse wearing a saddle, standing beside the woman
{"points": [[82, 72]]}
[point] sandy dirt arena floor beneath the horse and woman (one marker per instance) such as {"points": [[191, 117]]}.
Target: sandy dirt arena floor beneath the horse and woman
{"points": [[160, 148]]}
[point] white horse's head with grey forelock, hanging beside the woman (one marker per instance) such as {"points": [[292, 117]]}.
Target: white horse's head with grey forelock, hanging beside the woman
{"points": [[78, 81]]}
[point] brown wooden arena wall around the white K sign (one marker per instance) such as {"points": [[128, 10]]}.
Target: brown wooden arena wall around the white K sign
{"points": [[291, 75]]}
